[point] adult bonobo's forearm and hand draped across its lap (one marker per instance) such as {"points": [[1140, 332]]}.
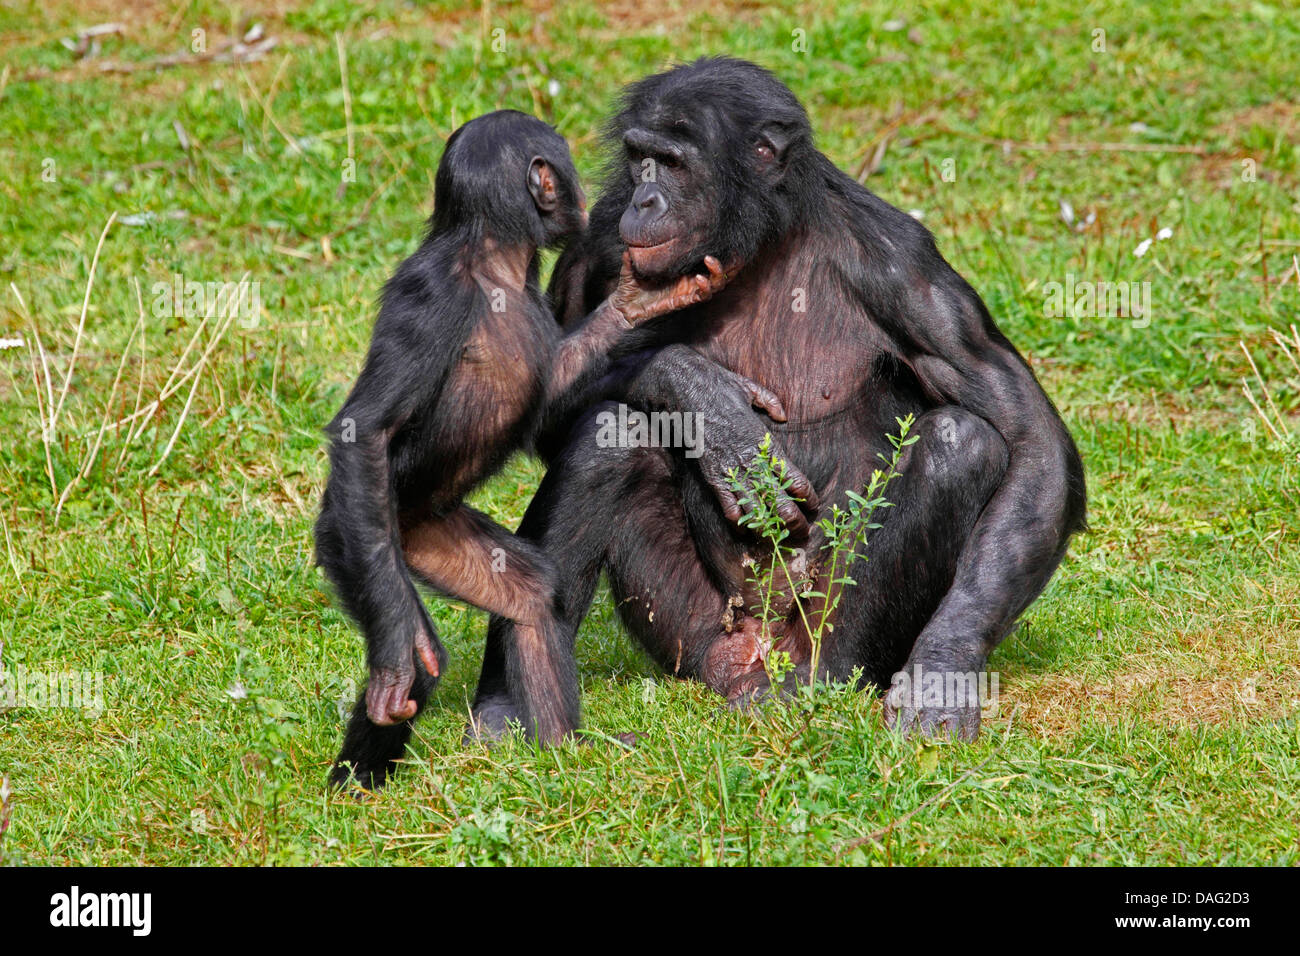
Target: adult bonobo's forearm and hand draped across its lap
{"points": [[681, 379]]}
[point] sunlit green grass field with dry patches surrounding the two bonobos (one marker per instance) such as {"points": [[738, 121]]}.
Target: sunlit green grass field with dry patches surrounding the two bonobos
{"points": [[159, 470]]}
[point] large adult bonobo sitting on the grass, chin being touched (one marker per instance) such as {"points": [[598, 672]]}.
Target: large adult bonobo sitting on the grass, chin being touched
{"points": [[846, 310]]}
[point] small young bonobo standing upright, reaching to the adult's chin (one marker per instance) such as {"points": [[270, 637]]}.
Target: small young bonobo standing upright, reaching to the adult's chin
{"points": [[466, 361]]}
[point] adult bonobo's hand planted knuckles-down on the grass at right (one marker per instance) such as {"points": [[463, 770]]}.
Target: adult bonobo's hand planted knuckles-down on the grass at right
{"points": [[935, 700]]}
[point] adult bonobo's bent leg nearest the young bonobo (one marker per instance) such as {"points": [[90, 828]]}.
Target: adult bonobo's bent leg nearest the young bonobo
{"points": [[675, 566]]}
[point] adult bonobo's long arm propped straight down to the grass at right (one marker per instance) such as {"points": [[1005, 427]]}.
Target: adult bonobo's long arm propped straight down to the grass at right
{"points": [[942, 328]]}
